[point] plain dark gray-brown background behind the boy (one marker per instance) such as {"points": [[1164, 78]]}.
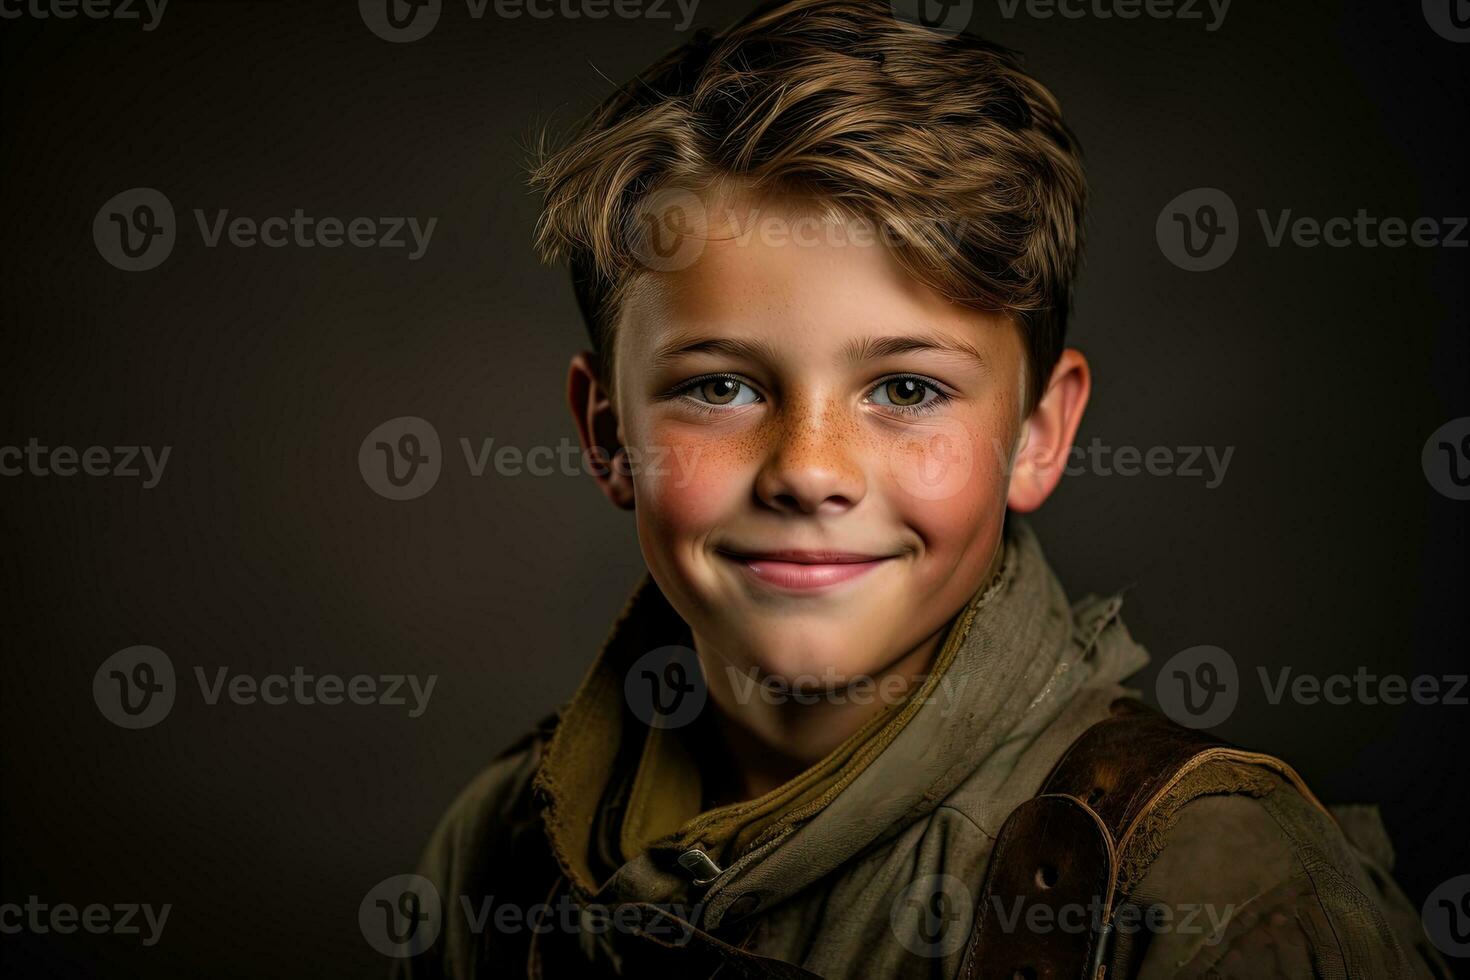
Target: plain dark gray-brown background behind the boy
{"points": [[264, 550]]}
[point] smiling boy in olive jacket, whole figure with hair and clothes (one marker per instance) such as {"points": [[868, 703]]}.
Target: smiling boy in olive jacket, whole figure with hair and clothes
{"points": [[850, 725]]}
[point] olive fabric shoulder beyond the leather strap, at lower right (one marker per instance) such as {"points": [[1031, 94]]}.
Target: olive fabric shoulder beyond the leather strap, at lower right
{"points": [[1252, 876]]}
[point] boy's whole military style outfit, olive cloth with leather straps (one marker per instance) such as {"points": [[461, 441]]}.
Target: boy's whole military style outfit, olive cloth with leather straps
{"points": [[1018, 816]]}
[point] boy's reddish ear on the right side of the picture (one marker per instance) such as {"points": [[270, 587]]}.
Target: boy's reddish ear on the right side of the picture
{"points": [[1047, 436]]}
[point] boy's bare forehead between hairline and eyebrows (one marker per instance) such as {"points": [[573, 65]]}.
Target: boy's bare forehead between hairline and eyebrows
{"points": [[796, 275]]}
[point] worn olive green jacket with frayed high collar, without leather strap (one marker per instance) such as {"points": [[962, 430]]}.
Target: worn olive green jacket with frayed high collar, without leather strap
{"points": [[880, 879]]}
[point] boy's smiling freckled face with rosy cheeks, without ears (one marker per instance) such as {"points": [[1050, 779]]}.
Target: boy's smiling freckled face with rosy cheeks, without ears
{"points": [[818, 446]]}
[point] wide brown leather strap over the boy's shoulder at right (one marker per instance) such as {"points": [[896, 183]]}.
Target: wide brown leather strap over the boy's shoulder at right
{"points": [[1055, 872]]}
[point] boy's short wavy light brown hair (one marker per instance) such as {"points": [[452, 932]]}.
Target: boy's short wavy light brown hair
{"points": [[942, 140]]}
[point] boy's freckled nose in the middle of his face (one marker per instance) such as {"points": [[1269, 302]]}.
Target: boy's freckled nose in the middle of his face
{"points": [[811, 465]]}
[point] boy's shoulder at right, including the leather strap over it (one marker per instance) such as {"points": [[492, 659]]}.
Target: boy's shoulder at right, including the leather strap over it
{"points": [[1230, 863]]}
